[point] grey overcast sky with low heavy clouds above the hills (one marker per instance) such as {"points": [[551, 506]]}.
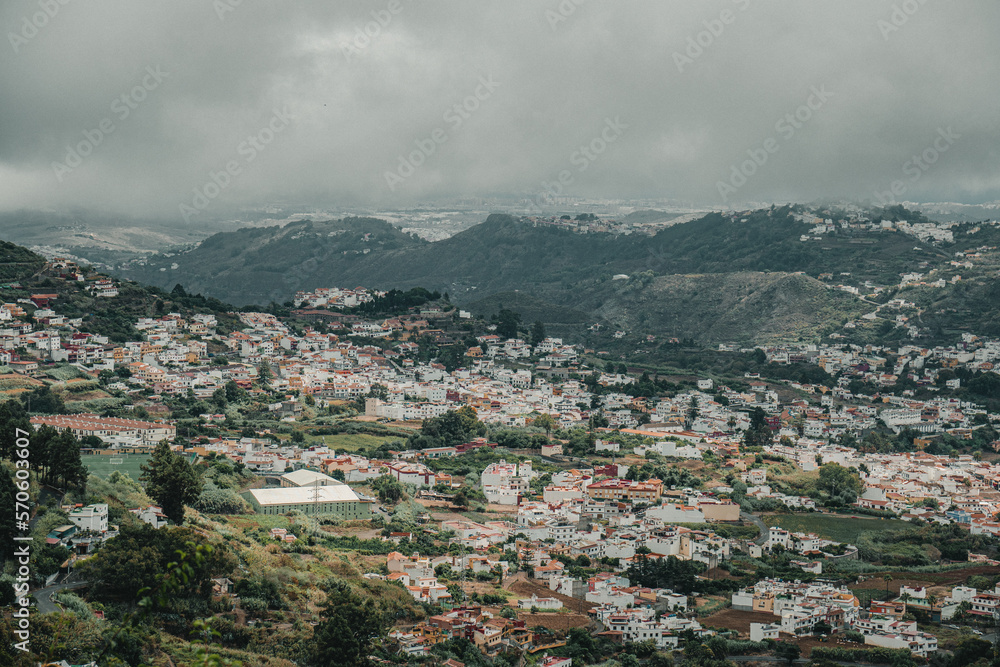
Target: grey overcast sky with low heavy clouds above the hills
{"points": [[667, 98]]}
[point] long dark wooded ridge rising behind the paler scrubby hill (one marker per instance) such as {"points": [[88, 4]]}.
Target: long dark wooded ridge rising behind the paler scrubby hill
{"points": [[504, 253]]}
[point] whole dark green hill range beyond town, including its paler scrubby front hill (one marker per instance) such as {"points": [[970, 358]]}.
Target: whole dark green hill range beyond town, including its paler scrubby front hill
{"points": [[721, 277]]}
